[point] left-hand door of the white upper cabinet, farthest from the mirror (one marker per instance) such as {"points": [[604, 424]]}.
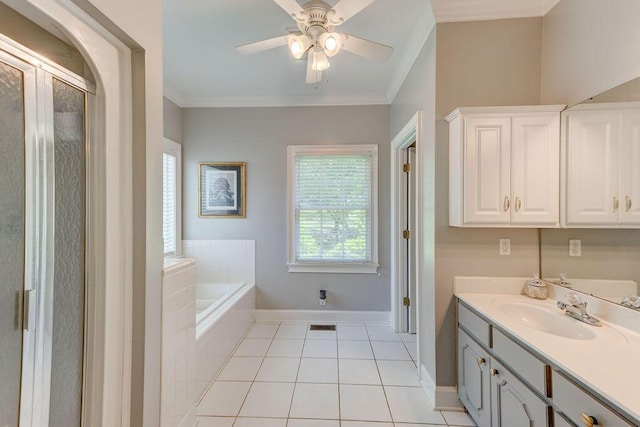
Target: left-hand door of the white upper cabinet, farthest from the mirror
{"points": [[487, 170]]}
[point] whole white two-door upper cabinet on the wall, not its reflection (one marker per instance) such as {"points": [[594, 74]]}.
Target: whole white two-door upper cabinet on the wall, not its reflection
{"points": [[504, 166]]}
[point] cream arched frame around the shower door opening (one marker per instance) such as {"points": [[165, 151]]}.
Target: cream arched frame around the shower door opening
{"points": [[109, 277]]}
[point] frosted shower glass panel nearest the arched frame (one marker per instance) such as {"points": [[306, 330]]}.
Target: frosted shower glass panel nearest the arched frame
{"points": [[69, 278]]}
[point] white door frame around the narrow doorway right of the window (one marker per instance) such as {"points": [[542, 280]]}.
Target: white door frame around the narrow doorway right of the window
{"points": [[410, 133]]}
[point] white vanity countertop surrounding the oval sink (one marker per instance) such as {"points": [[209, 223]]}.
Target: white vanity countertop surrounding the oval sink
{"points": [[607, 365]]}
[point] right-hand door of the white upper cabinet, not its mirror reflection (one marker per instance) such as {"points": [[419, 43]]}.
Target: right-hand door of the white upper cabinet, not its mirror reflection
{"points": [[536, 170]]}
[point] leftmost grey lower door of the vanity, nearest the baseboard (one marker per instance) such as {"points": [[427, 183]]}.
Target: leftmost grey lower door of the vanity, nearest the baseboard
{"points": [[473, 379]]}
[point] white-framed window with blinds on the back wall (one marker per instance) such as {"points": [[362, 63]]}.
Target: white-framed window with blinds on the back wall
{"points": [[333, 208]]}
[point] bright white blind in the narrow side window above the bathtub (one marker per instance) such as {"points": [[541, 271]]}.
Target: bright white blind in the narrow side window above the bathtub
{"points": [[169, 203]]}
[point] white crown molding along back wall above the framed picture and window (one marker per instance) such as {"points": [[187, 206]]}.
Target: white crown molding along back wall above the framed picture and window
{"points": [[286, 101]]}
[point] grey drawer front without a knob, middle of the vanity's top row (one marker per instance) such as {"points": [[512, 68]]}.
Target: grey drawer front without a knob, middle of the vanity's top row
{"points": [[528, 367]]}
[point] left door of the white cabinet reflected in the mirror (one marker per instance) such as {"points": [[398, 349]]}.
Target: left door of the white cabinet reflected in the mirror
{"points": [[592, 161]]}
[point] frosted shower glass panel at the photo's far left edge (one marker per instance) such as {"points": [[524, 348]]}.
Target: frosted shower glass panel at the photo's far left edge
{"points": [[12, 160]]}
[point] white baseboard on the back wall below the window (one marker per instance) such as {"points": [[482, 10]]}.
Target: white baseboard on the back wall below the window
{"points": [[381, 317]]}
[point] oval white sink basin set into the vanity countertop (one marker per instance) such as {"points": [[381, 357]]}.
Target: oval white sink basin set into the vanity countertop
{"points": [[547, 321]]}
